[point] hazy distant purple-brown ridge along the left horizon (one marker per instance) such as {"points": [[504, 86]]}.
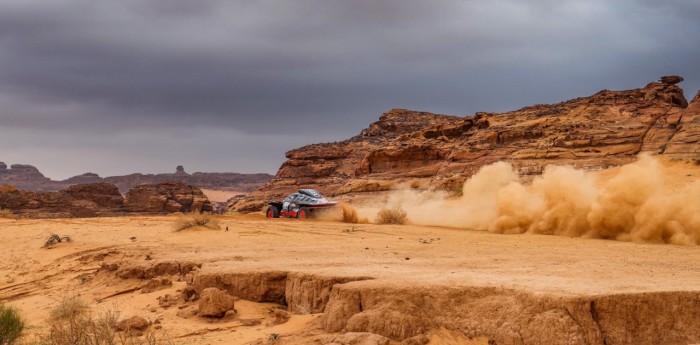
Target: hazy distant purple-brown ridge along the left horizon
{"points": [[30, 178]]}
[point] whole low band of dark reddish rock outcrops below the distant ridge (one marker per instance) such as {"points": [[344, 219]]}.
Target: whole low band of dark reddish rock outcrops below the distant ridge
{"points": [[104, 199]]}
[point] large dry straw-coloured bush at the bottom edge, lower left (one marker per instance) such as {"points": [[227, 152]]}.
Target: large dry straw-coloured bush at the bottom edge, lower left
{"points": [[73, 323]]}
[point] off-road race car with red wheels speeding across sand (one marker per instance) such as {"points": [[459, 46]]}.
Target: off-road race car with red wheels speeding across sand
{"points": [[302, 204]]}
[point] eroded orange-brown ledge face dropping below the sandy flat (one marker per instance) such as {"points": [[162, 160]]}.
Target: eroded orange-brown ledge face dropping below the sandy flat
{"points": [[504, 316]]}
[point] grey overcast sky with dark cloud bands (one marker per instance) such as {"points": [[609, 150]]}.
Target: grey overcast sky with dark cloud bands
{"points": [[115, 87]]}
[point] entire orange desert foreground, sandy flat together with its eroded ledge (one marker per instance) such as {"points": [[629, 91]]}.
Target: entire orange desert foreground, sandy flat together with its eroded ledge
{"points": [[434, 270]]}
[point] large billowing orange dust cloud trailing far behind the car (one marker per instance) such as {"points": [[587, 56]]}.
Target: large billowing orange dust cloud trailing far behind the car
{"points": [[631, 206]]}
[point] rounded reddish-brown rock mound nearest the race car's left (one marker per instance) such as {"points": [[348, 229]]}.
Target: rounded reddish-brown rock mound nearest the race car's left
{"points": [[167, 197]]}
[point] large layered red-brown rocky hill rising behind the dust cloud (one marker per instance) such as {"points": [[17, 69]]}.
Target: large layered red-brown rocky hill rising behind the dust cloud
{"points": [[430, 151]]}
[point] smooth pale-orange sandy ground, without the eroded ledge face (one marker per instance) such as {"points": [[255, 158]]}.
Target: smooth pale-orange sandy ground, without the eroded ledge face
{"points": [[34, 279]]}
